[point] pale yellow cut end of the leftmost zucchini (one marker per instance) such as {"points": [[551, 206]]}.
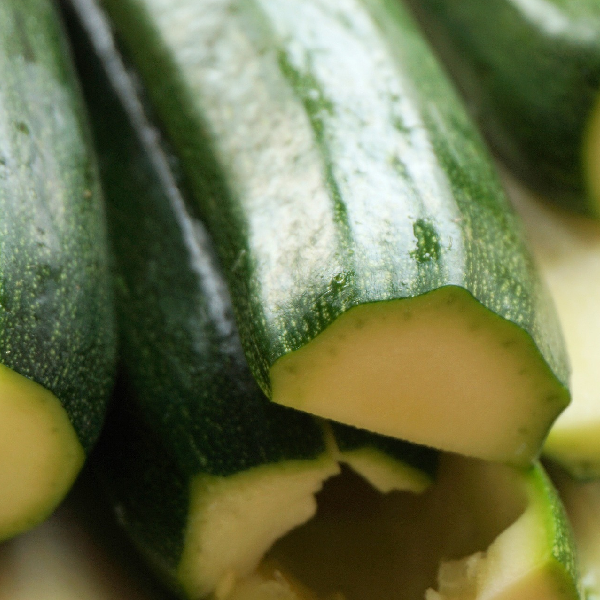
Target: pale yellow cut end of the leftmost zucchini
{"points": [[41, 454]]}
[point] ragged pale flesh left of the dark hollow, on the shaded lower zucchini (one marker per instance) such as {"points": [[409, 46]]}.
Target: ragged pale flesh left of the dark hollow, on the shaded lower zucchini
{"points": [[242, 516]]}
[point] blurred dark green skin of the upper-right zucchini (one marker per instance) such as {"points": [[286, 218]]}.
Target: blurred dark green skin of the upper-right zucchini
{"points": [[531, 75]]}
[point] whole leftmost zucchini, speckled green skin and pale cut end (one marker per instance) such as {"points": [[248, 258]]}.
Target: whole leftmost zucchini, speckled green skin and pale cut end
{"points": [[56, 321]]}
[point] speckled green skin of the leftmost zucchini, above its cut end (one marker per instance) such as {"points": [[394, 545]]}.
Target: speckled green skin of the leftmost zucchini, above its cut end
{"points": [[56, 321]]}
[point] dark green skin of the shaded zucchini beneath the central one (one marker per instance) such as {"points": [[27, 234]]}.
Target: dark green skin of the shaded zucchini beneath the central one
{"points": [[187, 404]]}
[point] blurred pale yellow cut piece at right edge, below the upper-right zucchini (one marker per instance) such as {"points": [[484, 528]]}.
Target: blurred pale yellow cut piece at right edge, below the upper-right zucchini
{"points": [[568, 251]]}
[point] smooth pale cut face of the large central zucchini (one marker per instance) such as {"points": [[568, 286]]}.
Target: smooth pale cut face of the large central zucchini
{"points": [[439, 370]]}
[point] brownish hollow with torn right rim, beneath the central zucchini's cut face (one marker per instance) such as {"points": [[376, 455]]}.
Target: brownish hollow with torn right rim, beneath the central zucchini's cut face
{"points": [[499, 533]]}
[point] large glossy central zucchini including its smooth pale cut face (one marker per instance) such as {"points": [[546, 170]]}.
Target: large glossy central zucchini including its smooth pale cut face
{"points": [[377, 272]]}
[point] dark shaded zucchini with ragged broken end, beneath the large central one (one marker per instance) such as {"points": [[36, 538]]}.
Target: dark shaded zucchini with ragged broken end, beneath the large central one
{"points": [[205, 471]]}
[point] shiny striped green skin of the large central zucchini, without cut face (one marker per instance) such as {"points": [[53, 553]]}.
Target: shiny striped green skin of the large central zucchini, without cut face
{"points": [[333, 164]]}
